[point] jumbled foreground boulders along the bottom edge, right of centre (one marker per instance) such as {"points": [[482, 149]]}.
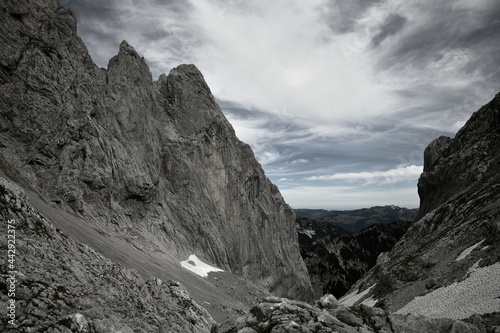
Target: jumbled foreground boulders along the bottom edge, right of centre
{"points": [[278, 315]]}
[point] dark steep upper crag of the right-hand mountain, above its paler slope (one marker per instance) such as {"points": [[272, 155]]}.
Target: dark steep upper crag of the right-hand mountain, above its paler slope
{"points": [[452, 166]]}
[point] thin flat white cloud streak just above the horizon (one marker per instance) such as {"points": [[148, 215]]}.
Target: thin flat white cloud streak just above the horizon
{"points": [[401, 174]]}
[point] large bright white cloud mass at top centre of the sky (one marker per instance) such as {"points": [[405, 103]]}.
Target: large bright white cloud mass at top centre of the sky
{"points": [[274, 55]]}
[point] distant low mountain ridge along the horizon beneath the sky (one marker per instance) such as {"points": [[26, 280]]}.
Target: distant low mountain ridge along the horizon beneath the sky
{"points": [[357, 219]]}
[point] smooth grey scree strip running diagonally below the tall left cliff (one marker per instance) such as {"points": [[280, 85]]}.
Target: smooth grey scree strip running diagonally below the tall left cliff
{"points": [[129, 254]]}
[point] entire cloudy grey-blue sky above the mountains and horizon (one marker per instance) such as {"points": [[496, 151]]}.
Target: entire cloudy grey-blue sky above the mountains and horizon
{"points": [[338, 98]]}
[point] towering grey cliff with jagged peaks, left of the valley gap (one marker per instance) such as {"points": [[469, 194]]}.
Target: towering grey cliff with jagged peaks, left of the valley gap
{"points": [[154, 162]]}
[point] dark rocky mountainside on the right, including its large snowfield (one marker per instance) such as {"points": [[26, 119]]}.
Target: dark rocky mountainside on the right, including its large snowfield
{"points": [[450, 255]]}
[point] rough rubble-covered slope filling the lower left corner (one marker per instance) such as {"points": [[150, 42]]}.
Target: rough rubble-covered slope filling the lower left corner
{"points": [[59, 285]]}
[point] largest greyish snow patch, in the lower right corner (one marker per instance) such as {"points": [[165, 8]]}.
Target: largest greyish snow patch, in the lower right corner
{"points": [[479, 293]]}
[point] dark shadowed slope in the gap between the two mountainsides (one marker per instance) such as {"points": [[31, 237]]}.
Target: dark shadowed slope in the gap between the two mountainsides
{"points": [[336, 263]]}
